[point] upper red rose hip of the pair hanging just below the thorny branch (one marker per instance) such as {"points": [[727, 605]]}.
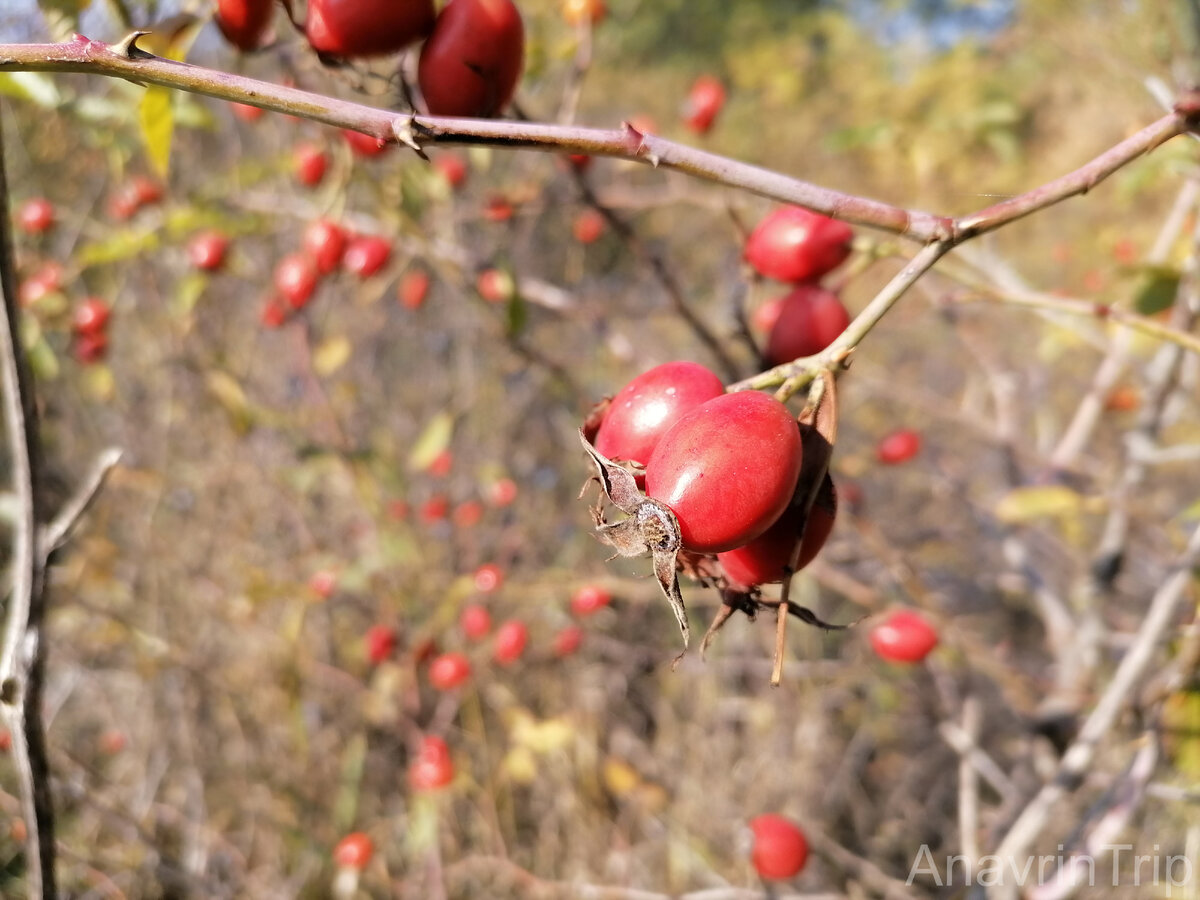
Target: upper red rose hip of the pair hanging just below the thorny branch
{"points": [[795, 245]]}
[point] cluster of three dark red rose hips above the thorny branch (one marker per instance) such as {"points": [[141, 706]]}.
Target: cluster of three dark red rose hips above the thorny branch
{"points": [[470, 63]]}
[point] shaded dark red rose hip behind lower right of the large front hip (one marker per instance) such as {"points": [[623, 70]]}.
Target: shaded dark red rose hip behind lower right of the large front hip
{"points": [[765, 561]]}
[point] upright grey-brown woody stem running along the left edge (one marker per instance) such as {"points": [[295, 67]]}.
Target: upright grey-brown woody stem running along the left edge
{"points": [[22, 661]]}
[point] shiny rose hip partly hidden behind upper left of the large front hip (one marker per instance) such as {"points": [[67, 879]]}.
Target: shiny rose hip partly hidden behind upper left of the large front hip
{"points": [[643, 412]]}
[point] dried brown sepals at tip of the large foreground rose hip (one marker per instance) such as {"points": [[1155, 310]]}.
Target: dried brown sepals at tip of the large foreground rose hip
{"points": [[651, 529]]}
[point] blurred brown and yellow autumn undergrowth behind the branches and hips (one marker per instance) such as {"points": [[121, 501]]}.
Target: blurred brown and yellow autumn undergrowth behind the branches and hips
{"points": [[251, 731]]}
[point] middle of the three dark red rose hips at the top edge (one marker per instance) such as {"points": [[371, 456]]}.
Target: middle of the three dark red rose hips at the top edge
{"points": [[367, 28]]}
